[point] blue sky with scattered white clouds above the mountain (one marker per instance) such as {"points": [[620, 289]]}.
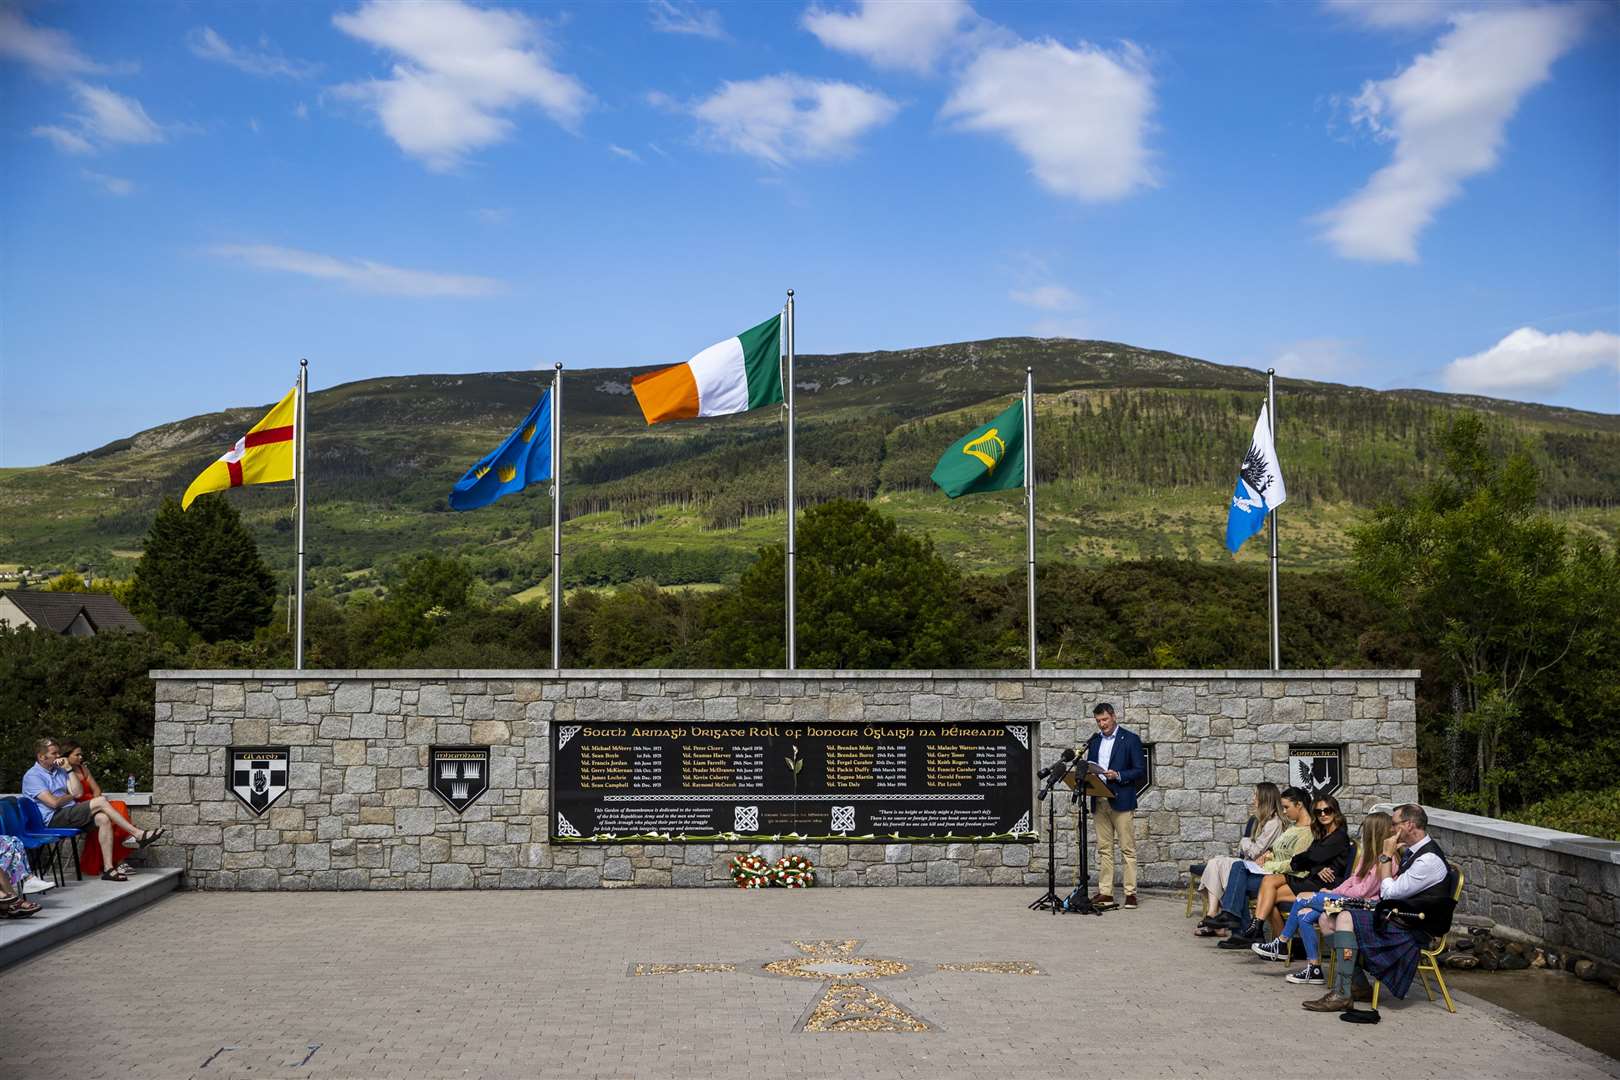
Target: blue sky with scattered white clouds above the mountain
{"points": [[197, 195]]}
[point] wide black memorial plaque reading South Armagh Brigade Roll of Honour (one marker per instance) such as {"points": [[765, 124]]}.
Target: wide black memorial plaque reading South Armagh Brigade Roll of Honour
{"points": [[848, 783]]}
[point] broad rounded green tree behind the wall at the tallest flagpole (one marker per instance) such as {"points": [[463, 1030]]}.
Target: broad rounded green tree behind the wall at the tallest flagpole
{"points": [[869, 597]]}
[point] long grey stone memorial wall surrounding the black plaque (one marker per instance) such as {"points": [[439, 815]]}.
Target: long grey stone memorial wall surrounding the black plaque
{"points": [[359, 814]]}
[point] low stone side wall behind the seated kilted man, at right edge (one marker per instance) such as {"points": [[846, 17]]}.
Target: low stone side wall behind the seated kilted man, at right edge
{"points": [[1559, 888]]}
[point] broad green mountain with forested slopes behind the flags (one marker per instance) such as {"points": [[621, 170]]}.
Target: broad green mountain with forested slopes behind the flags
{"points": [[1136, 453]]}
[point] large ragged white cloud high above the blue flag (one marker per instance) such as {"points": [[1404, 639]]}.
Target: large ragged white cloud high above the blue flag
{"points": [[461, 70]]}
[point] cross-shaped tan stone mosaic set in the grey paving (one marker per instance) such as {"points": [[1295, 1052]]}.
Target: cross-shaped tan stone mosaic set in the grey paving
{"points": [[846, 1003]]}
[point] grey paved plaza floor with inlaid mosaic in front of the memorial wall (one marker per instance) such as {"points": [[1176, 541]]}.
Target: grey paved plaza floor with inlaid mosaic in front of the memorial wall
{"points": [[675, 984]]}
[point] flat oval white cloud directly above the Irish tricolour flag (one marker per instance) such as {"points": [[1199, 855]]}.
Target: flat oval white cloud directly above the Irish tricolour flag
{"points": [[790, 117]]}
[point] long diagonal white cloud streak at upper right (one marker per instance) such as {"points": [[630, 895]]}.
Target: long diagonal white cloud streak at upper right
{"points": [[1446, 114]]}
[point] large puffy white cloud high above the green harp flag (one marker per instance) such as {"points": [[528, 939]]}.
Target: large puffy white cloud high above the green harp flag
{"points": [[1080, 116]]}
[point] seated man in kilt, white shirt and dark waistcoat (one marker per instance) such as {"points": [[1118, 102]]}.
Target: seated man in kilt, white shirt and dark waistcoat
{"points": [[1417, 888]]}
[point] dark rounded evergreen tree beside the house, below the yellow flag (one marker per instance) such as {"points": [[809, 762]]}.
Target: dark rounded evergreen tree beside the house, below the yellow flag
{"points": [[202, 568]]}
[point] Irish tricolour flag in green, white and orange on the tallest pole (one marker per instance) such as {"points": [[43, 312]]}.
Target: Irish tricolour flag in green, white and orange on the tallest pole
{"points": [[735, 376]]}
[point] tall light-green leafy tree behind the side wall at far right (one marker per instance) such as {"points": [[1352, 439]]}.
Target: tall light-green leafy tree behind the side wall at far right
{"points": [[1517, 613]]}
